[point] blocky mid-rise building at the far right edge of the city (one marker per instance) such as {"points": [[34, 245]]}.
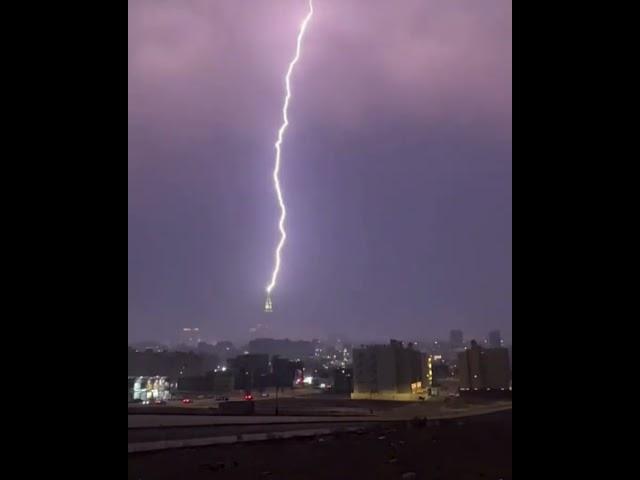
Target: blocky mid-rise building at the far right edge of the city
{"points": [[484, 368]]}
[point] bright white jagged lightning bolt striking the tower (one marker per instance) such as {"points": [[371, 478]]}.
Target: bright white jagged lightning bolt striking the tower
{"points": [[278, 145]]}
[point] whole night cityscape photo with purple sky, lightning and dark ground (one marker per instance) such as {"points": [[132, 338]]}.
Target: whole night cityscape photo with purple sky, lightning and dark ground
{"points": [[319, 239]]}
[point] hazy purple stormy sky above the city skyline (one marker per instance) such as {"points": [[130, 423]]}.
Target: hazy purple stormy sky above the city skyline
{"points": [[396, 167]]}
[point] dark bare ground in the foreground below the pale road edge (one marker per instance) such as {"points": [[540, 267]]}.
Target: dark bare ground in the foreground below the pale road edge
{"points": [[473, 448]]}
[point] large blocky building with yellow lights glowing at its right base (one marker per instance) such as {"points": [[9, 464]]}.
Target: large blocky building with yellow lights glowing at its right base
{"points": [[389, 372]]}
